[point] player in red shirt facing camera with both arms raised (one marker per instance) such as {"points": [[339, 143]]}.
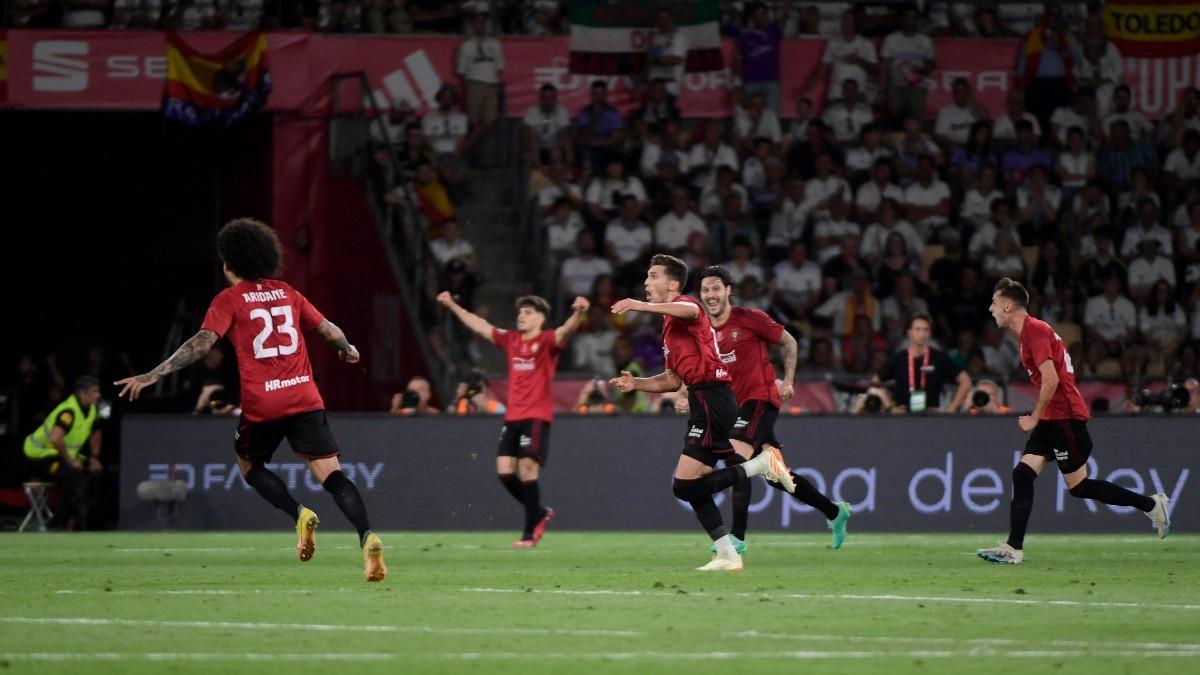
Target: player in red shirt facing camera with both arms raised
{"points": [[525, 441]]}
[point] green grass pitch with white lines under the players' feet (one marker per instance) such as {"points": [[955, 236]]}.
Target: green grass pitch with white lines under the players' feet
{"points": [[597, 604]]}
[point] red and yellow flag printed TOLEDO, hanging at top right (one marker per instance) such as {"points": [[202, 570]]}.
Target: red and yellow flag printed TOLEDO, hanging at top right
{"points": [[1154, 28]]}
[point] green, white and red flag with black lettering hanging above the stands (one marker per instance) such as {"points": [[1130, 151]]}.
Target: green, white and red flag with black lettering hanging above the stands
{"points": [[613, 37]]}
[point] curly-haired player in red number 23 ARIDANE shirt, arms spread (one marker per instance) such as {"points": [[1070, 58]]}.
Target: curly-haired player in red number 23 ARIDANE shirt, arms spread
{"points": [[263, 318]]}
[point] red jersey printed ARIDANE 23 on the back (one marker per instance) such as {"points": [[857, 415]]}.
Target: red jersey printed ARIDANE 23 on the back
{"points": [[265, 321]]}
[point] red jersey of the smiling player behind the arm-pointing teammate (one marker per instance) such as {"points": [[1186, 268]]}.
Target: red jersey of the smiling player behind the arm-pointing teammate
{"points": [[743, 342]]}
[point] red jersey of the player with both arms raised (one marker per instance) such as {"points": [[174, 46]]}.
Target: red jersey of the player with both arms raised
{"points": [[532, 365]]}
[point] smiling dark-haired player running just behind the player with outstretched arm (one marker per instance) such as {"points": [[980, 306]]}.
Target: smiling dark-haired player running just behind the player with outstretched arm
{"points": [[743, 337]]}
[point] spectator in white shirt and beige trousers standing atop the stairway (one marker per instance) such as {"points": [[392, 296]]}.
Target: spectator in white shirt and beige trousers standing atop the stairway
{"points": [[481, 63]]}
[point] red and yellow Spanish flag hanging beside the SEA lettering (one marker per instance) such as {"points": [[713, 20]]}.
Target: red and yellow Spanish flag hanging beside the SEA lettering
{"points": [[217, 89]]}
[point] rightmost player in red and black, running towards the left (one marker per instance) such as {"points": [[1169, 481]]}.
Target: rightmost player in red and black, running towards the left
{"points": [[1059, 426]]}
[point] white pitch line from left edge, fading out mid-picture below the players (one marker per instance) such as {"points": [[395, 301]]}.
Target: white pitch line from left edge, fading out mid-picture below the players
{"points": [[317, 628]]}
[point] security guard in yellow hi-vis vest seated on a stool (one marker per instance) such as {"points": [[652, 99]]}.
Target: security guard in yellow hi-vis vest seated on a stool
{"points": [[56, 450]]}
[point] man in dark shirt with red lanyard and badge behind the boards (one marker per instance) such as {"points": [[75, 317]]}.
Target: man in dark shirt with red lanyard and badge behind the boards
{"points": [[919, 373]]}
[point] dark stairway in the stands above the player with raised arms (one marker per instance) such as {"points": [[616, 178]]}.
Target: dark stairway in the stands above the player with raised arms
{"points": [[489, 223]]}
